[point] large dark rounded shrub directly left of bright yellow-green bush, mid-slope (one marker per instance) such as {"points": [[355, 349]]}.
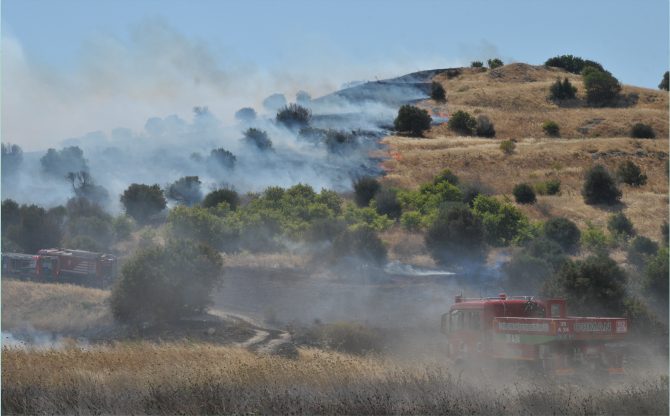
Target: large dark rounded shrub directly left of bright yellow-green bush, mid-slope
{"points": [[456, 233]]}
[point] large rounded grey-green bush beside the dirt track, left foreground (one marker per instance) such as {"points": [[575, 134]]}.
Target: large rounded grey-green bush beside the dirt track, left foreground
{"points": [[164, 283]]}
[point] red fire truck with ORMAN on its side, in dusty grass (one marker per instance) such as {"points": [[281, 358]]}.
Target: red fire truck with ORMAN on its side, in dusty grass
{"points": [[533, 337]]}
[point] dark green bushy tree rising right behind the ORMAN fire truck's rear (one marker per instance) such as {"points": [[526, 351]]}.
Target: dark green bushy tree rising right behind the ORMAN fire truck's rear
{"points": [[591, 287]]}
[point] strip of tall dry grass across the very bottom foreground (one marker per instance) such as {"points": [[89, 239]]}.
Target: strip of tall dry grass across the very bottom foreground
{"points": [[188, 378]]}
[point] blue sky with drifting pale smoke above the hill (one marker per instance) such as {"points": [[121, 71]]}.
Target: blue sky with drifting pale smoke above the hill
{"points": [[74, 67]]}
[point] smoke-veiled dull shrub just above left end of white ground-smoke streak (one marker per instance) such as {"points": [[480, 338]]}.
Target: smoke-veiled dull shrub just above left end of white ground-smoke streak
{"points": [[362, 243]]}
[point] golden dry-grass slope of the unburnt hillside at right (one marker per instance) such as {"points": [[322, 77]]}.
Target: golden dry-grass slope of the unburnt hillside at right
{"points": [[513, 97]]}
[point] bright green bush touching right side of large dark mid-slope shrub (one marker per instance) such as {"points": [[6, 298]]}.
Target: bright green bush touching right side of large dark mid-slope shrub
{"points": [[503, 223]]}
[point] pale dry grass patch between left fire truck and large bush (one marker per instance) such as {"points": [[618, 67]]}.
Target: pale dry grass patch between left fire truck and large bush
{"points": [[52, 308]]}
